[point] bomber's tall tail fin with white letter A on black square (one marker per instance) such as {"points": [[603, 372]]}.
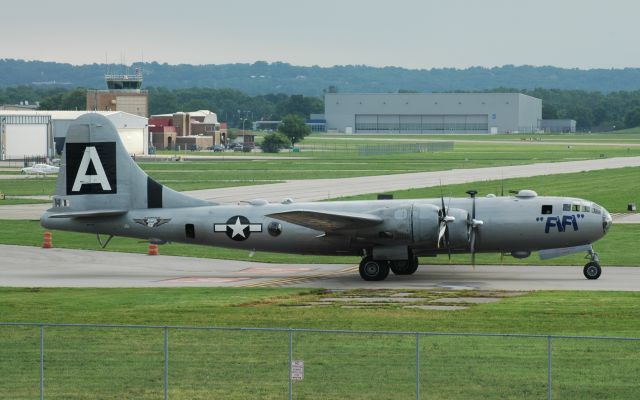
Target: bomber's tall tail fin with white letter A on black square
{"points": [[98, 174]]}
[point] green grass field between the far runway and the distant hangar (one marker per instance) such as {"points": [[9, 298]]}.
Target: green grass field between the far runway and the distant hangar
{"points": [[340, 158]]}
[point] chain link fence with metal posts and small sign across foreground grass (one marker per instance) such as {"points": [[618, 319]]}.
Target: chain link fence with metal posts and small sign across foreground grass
{"points": [[79, 361]]}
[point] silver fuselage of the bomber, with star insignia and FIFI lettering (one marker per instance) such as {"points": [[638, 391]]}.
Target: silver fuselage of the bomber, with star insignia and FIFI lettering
{"points": [[510, 224]]}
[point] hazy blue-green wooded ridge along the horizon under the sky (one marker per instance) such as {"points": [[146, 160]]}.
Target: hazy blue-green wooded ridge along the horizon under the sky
{"points": [[262, 77]]}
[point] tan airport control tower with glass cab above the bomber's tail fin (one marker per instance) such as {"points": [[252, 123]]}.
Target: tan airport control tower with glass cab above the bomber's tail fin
{"points": [[123, 94]]}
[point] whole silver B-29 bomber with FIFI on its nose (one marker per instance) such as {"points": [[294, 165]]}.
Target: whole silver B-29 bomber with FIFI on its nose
{"points": [[101, 190]]}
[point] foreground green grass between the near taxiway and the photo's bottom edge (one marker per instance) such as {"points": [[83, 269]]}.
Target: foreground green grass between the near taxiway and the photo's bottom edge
{"points": [[110, 363]]}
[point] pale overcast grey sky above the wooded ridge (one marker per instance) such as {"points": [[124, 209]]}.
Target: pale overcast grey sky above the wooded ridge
{"points": [[405, 33]]}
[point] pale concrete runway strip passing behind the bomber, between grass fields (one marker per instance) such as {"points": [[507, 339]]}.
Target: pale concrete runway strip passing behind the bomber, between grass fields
{"points": [[322, 189]]}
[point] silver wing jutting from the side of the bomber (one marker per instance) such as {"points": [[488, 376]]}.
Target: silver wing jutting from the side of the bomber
{"points": [[327, 221]]}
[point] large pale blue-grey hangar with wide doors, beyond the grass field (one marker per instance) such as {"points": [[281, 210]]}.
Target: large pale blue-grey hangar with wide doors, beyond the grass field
{"points": [[432, 113]]}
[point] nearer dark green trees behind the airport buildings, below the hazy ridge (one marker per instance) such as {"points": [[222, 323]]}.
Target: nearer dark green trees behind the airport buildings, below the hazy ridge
{"points": [[593, 111]]}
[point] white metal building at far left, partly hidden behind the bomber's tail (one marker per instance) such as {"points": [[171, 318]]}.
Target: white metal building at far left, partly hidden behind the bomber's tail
{"points": [[42, 133]]}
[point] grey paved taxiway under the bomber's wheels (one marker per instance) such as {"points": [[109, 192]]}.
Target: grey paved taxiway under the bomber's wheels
{"points": [[83, 268]]}
